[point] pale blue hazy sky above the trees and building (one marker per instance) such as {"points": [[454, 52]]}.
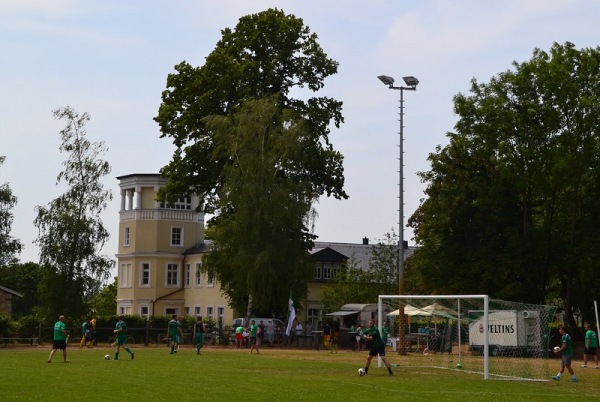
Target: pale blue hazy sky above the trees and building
{"points": [[111, 59]]}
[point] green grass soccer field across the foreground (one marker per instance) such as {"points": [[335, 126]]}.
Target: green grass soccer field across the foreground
{"points": [[226, 374]]}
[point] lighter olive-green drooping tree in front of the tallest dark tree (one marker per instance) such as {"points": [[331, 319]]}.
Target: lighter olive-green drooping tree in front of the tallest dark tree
{"points": [[260, 237]]}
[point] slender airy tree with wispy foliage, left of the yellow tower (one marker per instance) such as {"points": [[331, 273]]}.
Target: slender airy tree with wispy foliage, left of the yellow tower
{"points": [[71, 233]]}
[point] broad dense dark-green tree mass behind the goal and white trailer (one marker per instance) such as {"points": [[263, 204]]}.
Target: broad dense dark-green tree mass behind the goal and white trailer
{"points": [[512, 199]]}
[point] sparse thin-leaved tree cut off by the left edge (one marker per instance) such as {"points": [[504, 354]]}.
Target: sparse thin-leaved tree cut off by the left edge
{"points": [[9, 247]]}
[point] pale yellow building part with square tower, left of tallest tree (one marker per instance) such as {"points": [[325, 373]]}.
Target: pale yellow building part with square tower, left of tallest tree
{"points": [[160, 255]]}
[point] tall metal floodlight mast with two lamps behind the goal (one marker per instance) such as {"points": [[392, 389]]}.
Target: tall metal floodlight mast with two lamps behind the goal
{"points": [[411, 85]]}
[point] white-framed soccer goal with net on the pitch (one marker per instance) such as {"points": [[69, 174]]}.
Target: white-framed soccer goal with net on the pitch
{"points": [[470, 333]]}
